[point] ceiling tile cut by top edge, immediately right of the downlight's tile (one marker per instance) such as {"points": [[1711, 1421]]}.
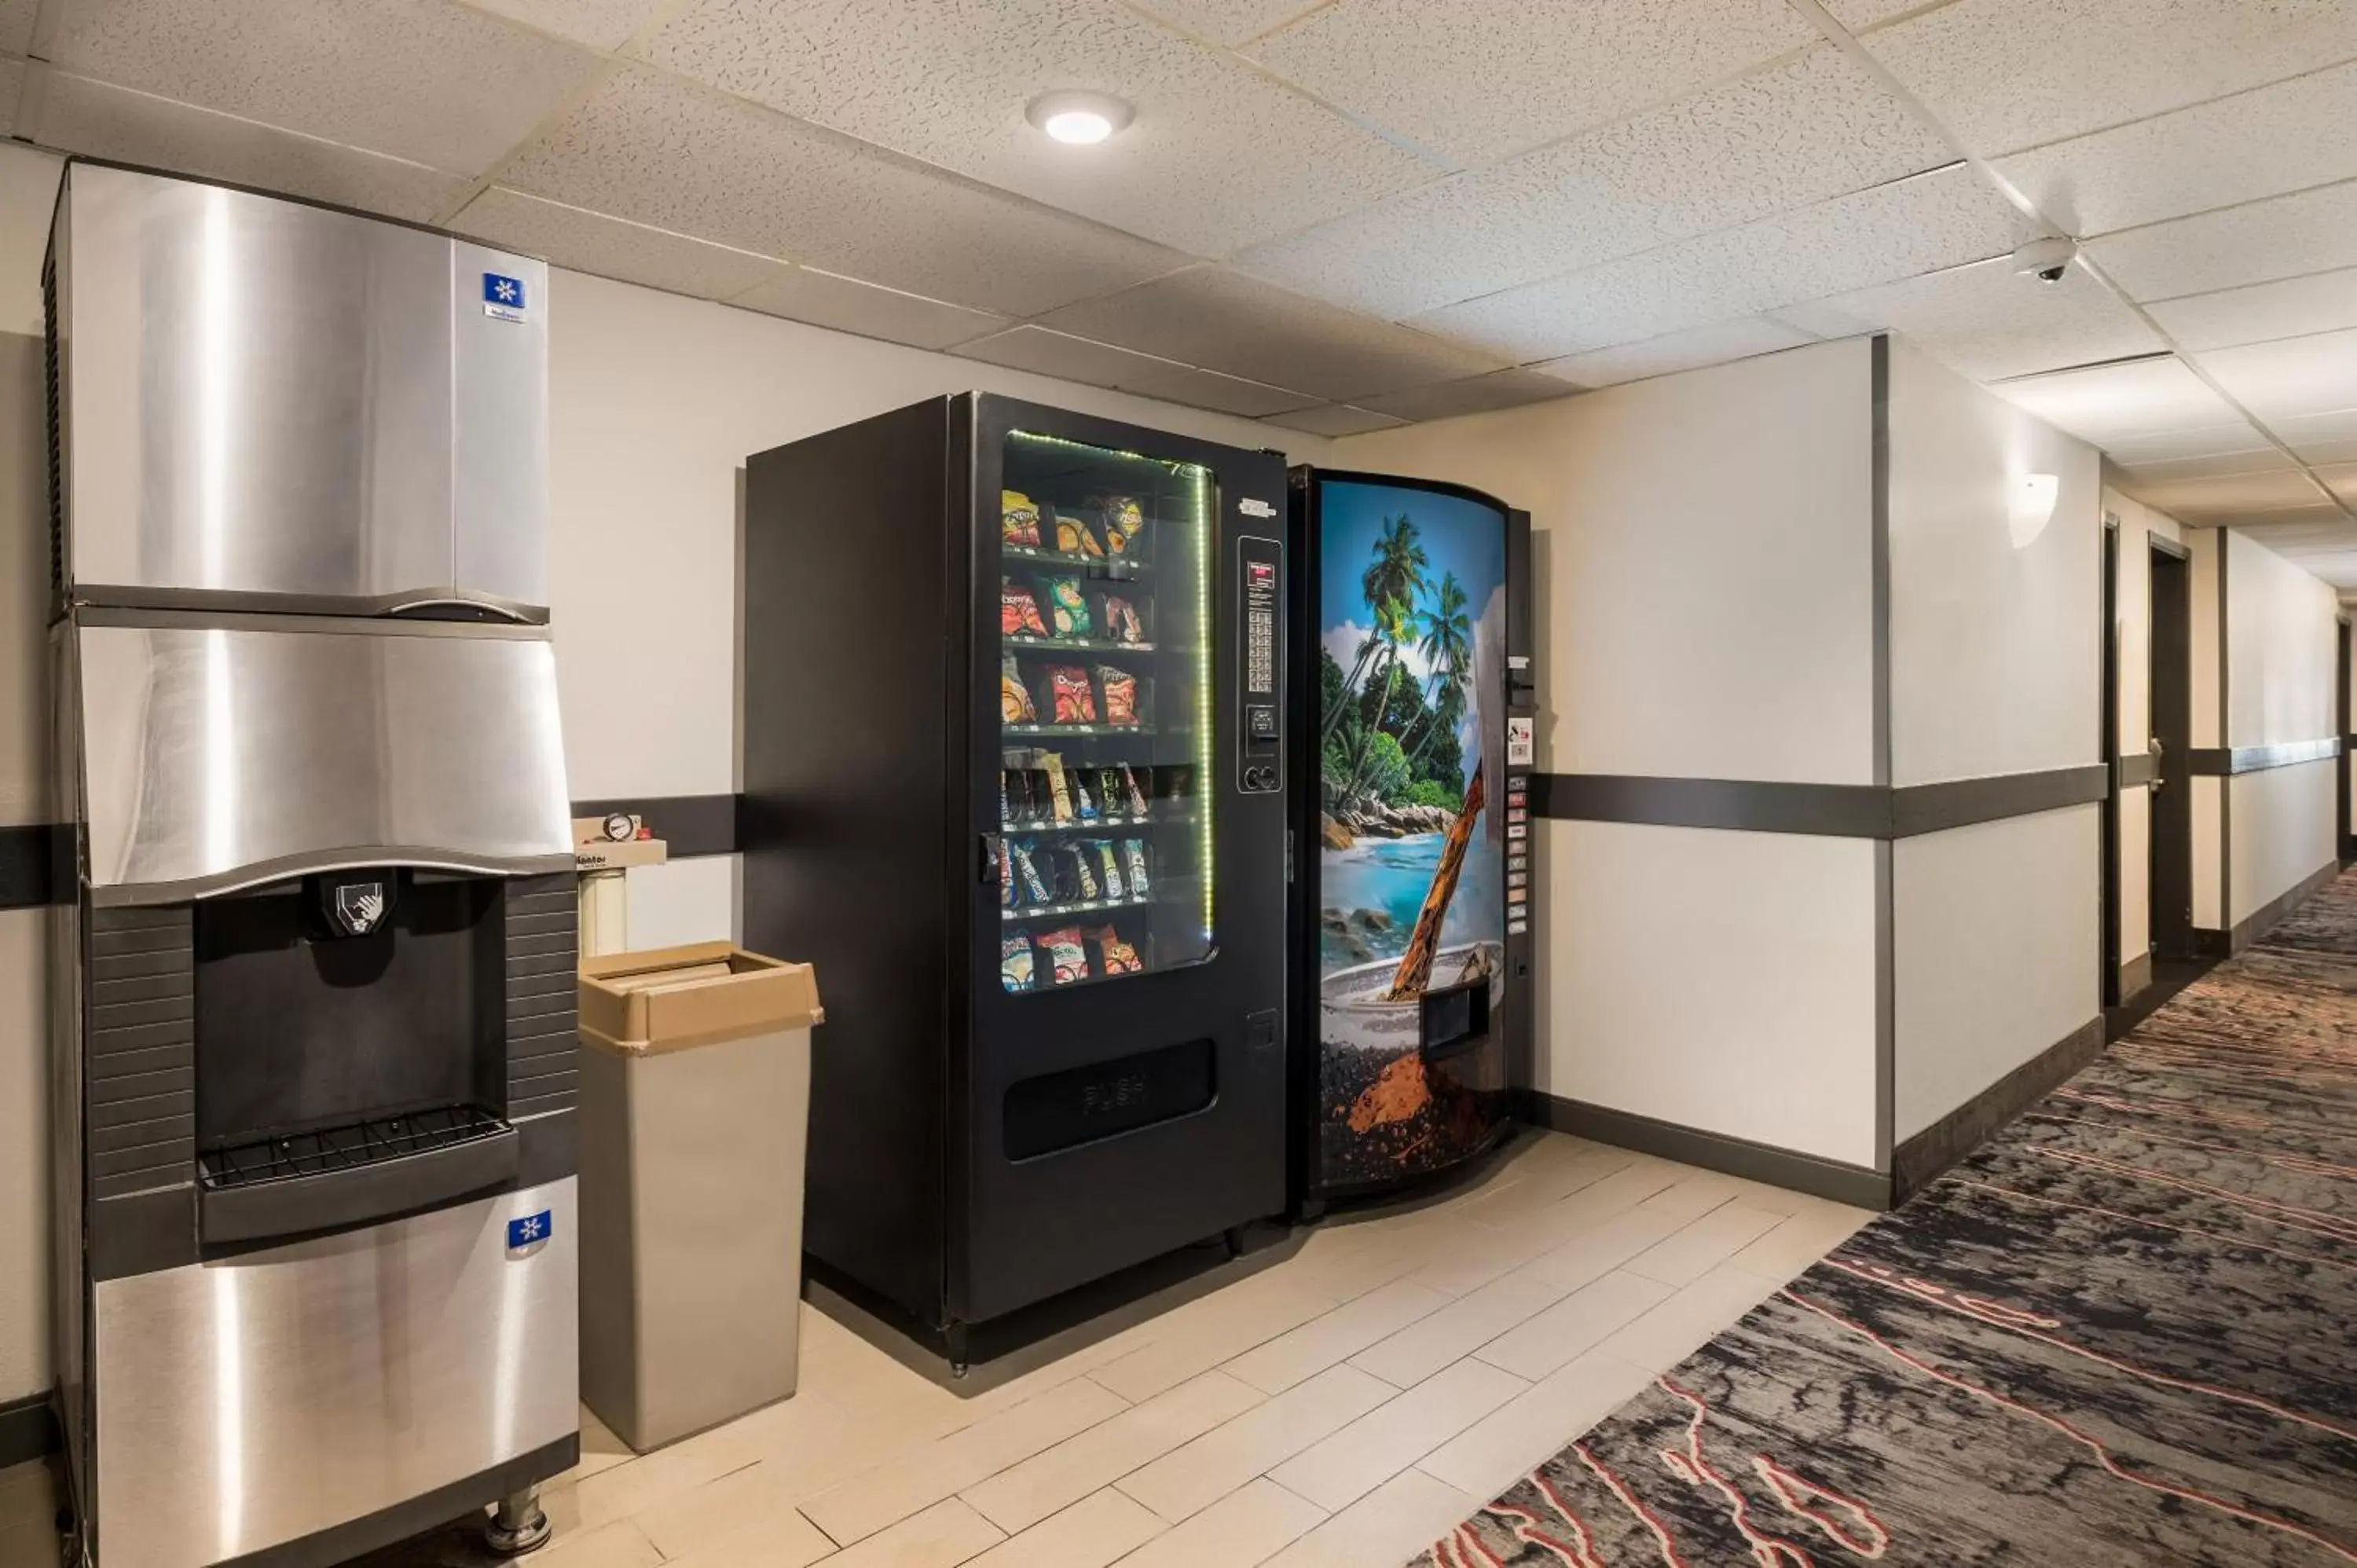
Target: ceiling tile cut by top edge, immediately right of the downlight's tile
{"points": [[1486, 79]]}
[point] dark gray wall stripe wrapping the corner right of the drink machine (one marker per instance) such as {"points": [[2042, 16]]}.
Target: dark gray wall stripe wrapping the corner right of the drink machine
{"points": [[1844, 812]]}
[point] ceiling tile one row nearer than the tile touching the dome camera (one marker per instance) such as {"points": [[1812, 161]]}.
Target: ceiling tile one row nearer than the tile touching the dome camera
{"points": [[1769, 143]]}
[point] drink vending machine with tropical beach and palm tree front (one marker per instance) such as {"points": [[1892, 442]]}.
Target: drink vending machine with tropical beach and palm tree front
{"points": [[1413, 749]]}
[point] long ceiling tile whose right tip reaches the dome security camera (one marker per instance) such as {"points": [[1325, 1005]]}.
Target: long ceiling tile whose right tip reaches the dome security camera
{"points": [[1870, 237]]}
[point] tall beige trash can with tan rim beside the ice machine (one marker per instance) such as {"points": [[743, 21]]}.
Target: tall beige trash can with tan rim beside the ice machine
{"points": [[694, 1119]]}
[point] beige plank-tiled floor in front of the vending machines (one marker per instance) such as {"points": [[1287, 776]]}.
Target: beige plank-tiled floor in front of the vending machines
{"points": [[1335, 1402]]}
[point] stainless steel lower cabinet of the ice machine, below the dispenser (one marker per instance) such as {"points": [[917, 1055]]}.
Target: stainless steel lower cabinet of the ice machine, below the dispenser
{"points": [[265, 1397]]}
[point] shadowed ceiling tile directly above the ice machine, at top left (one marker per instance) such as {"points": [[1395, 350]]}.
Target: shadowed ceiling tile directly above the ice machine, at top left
{"points": [[84, 117]]}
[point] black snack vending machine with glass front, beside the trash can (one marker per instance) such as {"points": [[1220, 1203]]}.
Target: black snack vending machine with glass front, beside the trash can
{"points": [[1017, 784]]}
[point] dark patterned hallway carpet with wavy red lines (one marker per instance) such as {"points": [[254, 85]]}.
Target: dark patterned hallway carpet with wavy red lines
{"points": [[2120, 1333]]}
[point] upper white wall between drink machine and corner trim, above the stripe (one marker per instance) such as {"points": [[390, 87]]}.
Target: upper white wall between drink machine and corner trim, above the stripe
{"points": [[1708, 602]]}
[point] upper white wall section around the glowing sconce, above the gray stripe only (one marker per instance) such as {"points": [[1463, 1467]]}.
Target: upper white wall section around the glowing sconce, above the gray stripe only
{"points": [[1995, 638]]}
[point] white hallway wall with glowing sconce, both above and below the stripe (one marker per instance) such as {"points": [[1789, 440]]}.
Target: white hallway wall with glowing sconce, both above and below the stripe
{"points": [[1995, 668]]}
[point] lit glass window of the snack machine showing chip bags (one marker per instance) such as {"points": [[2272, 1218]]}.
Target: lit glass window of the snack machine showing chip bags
{"points": [[1104, 713]]}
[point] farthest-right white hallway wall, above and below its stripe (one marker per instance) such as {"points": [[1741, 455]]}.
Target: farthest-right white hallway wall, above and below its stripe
{"points": [[2283, 654]]}
